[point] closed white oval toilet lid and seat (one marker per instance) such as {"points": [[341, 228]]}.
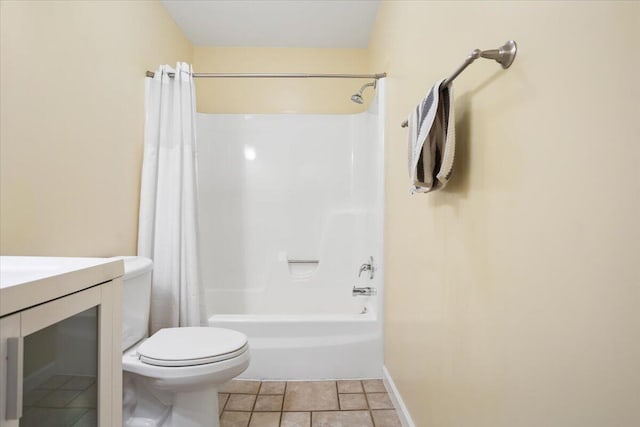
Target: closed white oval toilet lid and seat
{"points": [[192, 346]]}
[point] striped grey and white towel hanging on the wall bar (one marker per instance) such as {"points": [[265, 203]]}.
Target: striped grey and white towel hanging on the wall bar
{"points": [[432, 140]]}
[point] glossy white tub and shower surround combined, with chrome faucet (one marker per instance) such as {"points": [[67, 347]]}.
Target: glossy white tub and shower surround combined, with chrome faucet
{"points": [[291, 219]]}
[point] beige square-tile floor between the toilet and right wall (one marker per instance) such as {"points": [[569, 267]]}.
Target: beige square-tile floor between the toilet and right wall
{"points": [[352, 403]]}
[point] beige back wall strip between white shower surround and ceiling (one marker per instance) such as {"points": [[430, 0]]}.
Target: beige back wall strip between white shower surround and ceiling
{"points": [[328, 96]]}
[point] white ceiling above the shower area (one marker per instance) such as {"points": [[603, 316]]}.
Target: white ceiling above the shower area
{"points": [[275, 23]]}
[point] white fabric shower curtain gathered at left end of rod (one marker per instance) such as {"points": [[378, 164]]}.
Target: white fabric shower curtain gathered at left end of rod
{"points": [[168, 223]]}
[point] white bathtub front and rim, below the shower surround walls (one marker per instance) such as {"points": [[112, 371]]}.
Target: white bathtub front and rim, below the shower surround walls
{"points": [[310, 346]]}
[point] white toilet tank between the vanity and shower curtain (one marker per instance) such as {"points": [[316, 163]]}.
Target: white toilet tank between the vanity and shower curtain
{"points": [[136, 299]]}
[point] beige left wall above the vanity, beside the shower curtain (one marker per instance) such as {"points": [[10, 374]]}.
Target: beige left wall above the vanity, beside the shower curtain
{"points": [[71, 123]]}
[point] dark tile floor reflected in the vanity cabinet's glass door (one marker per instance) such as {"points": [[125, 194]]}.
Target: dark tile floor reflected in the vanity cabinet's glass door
{"points": [[62, 400]]}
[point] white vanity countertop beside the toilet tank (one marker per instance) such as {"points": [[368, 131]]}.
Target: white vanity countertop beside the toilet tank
{"points": [[28, 281]]}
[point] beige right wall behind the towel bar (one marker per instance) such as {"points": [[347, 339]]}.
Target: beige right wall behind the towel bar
{"points": [[513, 297]]}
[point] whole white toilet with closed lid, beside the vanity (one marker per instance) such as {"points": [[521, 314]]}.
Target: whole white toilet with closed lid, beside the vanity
{"points": [[171, 378]]}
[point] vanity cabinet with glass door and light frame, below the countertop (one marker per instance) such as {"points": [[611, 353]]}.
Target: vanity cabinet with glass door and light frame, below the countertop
{"points": [[62, 360]]}
